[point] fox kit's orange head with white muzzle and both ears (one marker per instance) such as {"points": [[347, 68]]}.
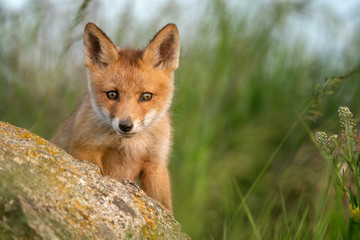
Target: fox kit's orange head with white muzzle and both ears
{"points": [[130, 90]]}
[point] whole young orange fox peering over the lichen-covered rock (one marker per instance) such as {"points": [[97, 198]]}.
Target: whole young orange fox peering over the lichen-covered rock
{"points": [[123, 123]]}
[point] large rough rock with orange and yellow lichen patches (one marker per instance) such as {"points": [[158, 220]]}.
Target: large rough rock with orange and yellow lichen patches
{"points": [[47, 194]]}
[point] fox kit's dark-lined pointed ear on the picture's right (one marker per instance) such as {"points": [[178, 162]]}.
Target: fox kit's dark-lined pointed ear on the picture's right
{"points": [[164, 49]]}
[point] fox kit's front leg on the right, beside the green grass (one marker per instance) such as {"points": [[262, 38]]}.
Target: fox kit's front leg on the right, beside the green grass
{"points": [[156, 183]]}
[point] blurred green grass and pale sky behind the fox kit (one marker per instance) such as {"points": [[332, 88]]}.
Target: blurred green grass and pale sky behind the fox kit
{"points": [[255, 80]]}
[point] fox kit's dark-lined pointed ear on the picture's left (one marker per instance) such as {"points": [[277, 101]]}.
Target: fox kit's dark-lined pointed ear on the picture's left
{"points": [[99, 50]]}
